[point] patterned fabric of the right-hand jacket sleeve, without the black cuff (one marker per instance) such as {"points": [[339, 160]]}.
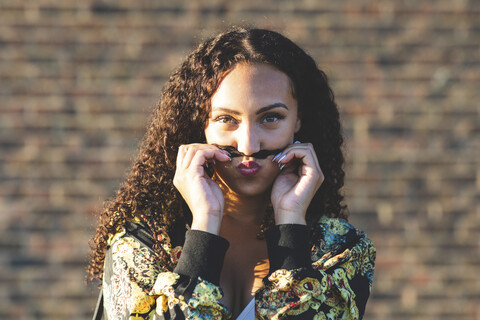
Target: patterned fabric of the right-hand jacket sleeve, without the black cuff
{"points": [[340, 279]]}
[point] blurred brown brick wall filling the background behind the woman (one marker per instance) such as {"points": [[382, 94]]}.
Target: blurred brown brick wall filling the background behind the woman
{"points": [[78, 80]]}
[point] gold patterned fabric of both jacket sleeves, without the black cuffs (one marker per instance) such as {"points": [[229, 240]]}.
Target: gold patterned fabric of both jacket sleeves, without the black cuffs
{"points": [[336, 286]]}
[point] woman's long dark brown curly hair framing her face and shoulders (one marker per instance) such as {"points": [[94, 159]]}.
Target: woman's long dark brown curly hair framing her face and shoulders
{"points": [[181, 117]]}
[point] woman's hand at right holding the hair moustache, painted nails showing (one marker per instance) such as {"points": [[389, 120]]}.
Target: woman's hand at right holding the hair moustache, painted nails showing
{"points": [[295, 186]]}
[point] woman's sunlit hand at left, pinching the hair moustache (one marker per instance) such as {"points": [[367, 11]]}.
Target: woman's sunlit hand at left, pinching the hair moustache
{"points": [[203, 195]]}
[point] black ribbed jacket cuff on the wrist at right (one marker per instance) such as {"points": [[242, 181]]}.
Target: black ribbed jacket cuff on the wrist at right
{"points": [[288, 247]]}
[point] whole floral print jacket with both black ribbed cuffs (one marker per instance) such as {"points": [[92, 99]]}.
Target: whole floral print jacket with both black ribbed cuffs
{"points": [[330, 279]]}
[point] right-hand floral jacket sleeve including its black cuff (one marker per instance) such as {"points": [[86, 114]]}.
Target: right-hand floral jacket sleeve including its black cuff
{"points": [[329, 280]]}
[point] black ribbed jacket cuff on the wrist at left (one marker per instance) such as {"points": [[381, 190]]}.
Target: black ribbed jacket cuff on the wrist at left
{"points": [[202, 256]]}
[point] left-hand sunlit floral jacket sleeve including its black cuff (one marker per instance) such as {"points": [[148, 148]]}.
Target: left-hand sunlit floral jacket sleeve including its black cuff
{"points": [[136, 286]]}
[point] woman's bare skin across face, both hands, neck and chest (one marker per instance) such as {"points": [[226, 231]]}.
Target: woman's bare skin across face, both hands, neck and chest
{"points": [[252, 109]]}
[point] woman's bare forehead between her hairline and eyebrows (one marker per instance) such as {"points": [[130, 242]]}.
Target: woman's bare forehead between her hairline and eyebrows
{"points": [[253, 85]]}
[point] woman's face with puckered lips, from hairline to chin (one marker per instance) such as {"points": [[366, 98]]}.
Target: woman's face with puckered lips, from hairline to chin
{"points": [[253, 109]]}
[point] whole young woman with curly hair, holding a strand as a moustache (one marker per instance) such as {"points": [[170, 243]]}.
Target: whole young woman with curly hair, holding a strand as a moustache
{"points": [[236, 195]]}
